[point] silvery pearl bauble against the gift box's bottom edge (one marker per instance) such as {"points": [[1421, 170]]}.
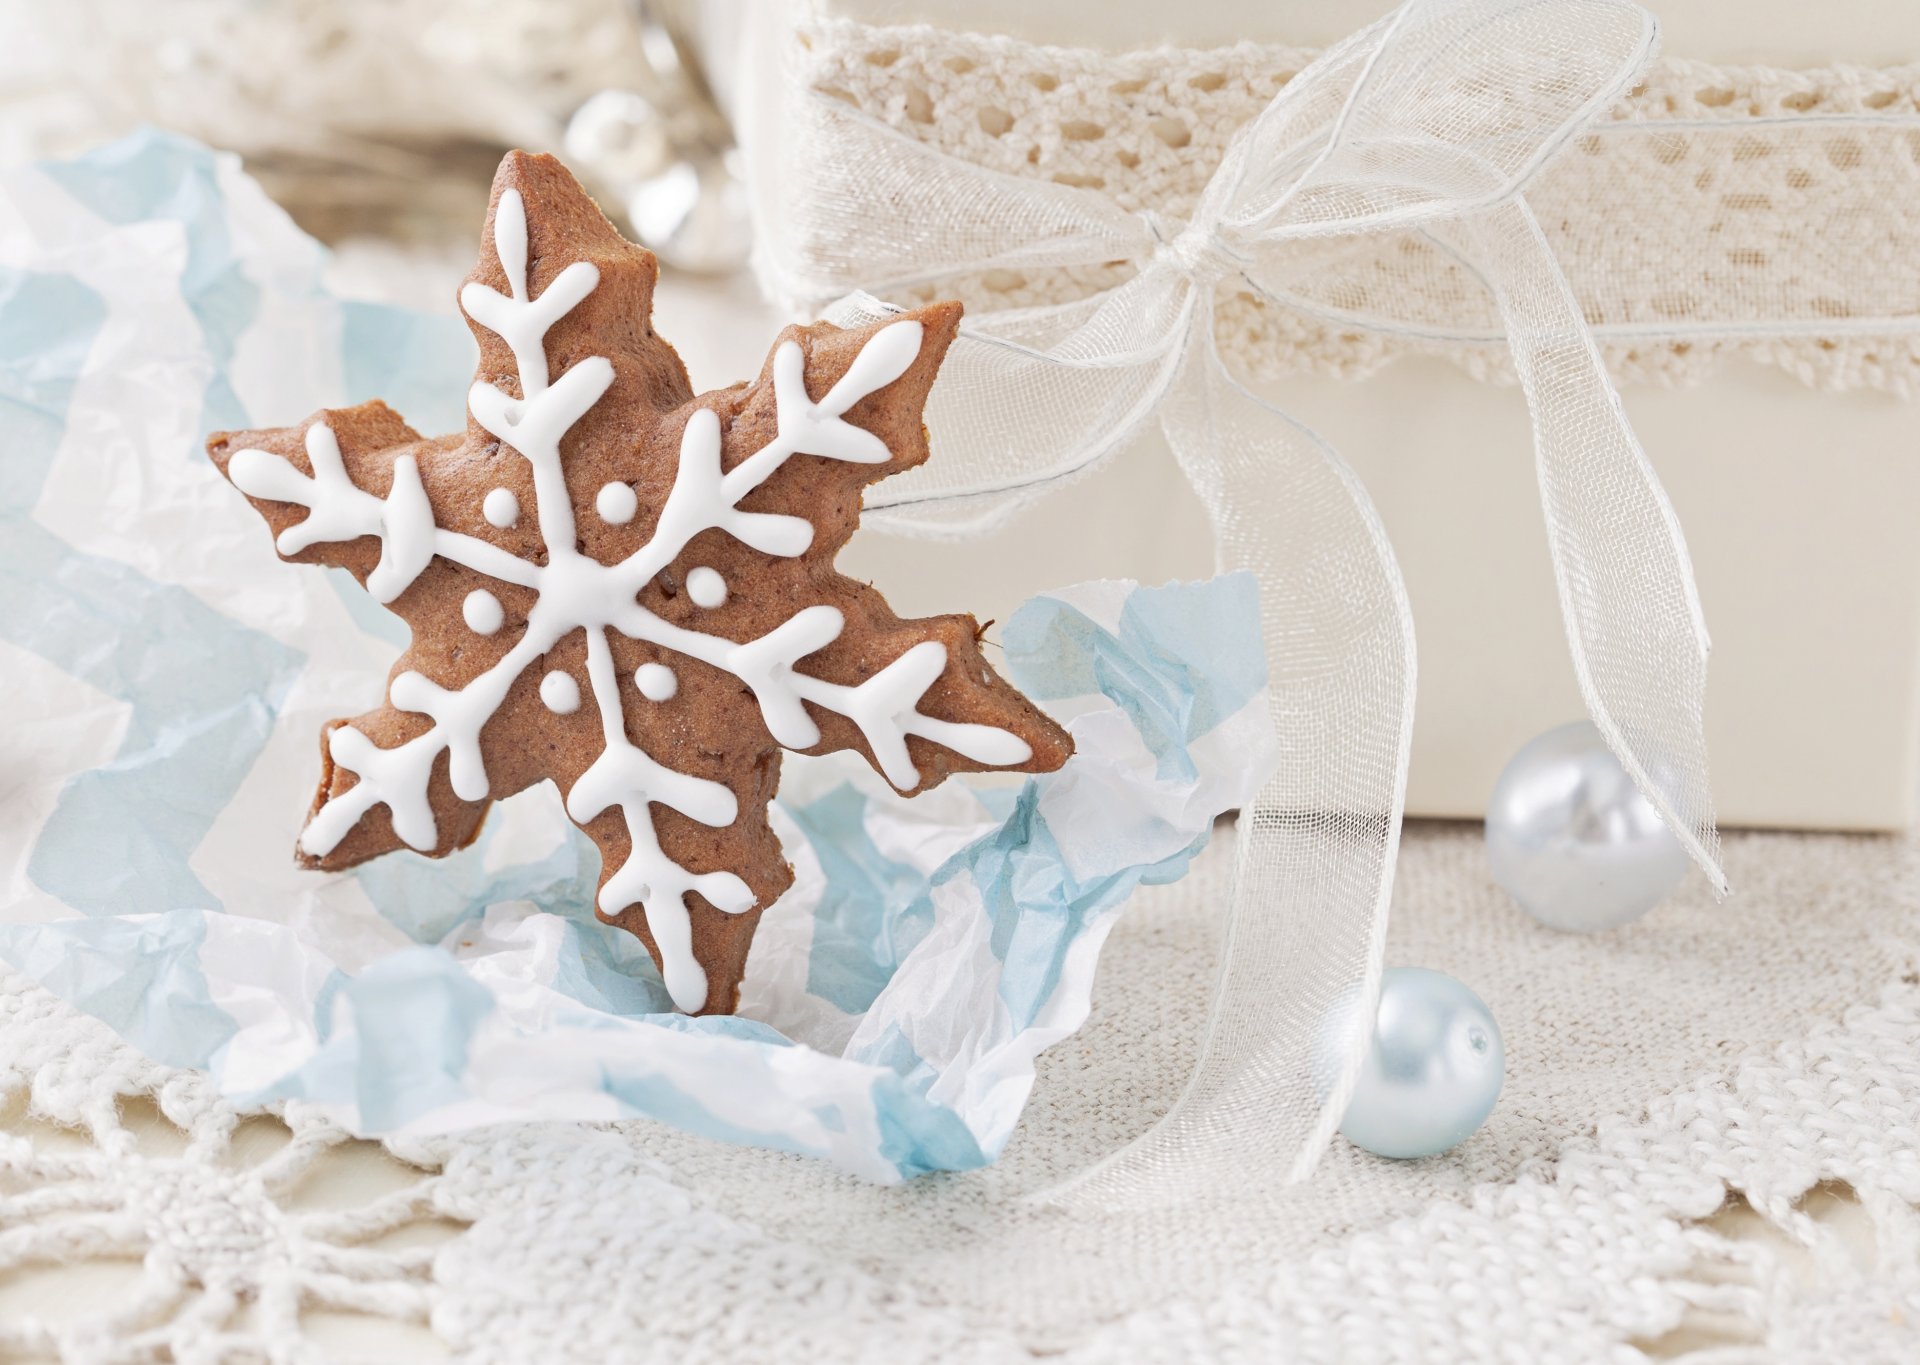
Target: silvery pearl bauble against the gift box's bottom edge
{"points": [[1572, 838]]}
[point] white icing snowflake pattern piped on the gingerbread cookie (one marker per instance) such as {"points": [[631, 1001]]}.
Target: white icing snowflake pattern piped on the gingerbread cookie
{"points": [[581, 594]]}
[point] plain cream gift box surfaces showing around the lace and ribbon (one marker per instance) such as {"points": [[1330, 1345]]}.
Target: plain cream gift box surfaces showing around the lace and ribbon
{"points": [[1798, 502]]}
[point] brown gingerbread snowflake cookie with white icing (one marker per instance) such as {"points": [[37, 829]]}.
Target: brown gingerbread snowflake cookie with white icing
{"points": [[629, 590]]}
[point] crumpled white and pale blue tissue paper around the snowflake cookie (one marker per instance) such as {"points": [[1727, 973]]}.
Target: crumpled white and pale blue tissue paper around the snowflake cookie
{"points": [[166, 681]]}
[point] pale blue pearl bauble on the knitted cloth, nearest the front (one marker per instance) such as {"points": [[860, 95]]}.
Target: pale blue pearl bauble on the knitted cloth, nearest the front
{"points": [[1433, 1070]]}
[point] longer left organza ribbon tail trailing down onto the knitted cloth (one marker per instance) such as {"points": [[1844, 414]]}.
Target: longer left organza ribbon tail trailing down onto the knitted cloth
{"points": [[1301, 963]]}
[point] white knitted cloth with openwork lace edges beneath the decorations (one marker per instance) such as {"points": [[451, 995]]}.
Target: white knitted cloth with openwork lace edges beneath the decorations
{"points": [[1767, 1049]]}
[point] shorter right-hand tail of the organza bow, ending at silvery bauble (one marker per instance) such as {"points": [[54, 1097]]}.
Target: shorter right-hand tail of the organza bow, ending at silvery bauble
{"points": [[1620, 560]]}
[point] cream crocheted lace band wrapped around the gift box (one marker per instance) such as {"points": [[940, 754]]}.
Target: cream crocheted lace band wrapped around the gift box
{"points": [[1773, 214]]}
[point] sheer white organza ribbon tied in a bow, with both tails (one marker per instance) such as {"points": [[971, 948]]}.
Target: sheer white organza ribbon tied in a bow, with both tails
{"points": [[1429, 122]]}
